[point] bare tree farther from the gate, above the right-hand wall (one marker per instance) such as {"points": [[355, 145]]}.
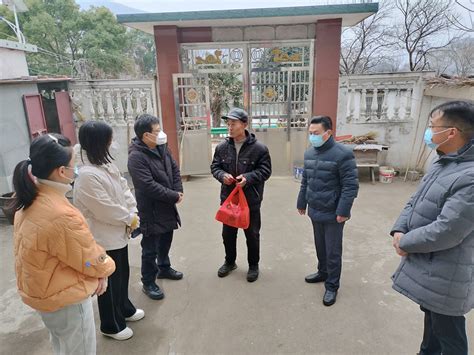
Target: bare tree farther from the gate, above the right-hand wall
{"points": [[425, 28]]}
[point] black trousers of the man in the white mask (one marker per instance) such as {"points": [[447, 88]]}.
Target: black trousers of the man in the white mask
{"points": [[155, 255]]}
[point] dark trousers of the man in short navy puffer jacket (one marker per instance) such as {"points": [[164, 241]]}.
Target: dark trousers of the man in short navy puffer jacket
{"points": [[328, 242]]}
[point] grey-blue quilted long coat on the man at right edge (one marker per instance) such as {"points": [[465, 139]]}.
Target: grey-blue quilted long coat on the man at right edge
{"points": [[438, 223]]}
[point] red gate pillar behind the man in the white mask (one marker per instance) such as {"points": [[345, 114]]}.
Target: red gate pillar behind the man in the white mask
{"points": [[167, 58]]}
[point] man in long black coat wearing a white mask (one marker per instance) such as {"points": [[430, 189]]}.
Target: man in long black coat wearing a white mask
{"points": [[158, 189]]}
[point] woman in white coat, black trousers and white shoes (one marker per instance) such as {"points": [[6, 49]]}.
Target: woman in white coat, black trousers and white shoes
{"points": [[105, 199]]}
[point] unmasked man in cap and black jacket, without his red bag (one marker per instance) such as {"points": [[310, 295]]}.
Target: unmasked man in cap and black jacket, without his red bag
{"points": [[244, 161]]}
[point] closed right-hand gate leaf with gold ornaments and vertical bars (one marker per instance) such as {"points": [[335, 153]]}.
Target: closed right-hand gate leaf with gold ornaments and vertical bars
{"points": [[281, 84]]}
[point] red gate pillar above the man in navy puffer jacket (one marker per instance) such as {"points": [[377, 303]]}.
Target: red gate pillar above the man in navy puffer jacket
{"points": [[327, 53]]}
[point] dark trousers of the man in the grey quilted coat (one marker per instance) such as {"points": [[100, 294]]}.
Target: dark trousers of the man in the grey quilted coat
{"points": [[443, 334]]}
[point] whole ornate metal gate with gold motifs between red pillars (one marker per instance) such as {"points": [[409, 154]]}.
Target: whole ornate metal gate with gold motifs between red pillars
{"points": [[277, 92]]}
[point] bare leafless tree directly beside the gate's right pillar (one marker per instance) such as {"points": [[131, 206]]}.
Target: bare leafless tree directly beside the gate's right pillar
{"points": [[367, 45]]}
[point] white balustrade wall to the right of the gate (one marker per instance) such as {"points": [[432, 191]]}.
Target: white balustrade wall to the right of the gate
{"points": [[402, 132]]}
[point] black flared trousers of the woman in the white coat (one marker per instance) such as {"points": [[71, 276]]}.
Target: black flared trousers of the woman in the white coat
{"points": [[114, 305]]}
